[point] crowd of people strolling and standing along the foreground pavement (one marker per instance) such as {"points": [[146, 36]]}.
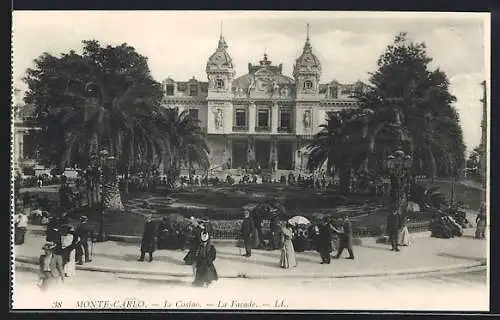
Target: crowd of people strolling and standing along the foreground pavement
{"points": [[68, 245]]}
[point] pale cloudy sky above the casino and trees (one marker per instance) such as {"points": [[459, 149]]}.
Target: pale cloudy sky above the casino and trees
{"points": [[348, 44]]}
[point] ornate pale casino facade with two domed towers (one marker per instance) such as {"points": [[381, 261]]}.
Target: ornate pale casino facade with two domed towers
{"points": [[262, 117]]}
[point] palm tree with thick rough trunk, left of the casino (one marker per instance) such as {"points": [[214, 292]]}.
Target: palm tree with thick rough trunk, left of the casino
{"points": [[115, 125]]}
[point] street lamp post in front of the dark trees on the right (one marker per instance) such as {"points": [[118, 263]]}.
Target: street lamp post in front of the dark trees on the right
{"points": [[399, 165]]}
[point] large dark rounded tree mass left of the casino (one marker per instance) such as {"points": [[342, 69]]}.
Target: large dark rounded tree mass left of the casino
{"points": [[89, 102]]}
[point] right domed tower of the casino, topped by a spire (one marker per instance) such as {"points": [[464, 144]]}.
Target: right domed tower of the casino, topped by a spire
{"points": [[307, 72]]}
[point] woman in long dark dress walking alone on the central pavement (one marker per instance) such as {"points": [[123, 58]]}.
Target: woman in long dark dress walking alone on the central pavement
{"points": [[204, 268]]}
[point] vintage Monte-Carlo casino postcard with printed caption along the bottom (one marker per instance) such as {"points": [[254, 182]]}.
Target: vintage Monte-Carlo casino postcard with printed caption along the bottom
{"points": [[250, 160]]}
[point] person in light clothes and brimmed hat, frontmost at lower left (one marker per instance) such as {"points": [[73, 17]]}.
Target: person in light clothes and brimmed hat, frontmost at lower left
{"points": [[51, 268]]}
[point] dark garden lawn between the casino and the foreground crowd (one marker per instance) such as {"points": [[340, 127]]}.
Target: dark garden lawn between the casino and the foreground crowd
{"points": [[223, 205]]}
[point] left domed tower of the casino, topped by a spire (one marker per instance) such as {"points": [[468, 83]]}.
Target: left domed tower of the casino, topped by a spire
{"points": [[220, 72]]}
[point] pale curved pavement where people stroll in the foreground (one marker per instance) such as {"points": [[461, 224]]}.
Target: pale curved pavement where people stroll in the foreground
{"points": [[423, 254]]}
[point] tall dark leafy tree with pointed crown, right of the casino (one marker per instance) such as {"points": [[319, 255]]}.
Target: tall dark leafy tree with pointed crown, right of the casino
{"points": [[412, 109]]}
